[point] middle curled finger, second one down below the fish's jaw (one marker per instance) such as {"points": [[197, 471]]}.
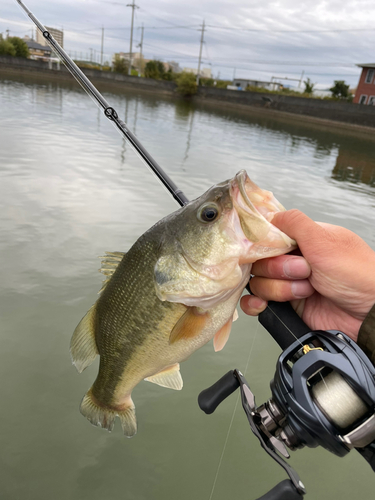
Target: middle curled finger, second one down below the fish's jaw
{"points": [[280, 290]]}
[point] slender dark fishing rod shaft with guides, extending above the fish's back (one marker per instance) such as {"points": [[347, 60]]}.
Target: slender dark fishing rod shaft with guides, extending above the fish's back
{"points": [[109, 111]]}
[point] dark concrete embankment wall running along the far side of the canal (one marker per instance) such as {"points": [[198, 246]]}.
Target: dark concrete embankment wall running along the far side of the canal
{"points": [[342, 113]]}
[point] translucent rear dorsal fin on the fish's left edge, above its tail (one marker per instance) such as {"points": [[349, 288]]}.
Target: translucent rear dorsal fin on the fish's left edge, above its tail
{"points": [[83, 349]]}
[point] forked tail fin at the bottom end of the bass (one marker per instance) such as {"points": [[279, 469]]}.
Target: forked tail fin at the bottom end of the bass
{"points": [[104, 417]]}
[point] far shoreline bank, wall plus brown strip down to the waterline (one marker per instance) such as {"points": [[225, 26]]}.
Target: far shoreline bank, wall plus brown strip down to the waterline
{"points": [[284, 108]]}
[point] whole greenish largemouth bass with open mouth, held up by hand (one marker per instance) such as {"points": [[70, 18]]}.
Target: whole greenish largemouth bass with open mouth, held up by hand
{"points": [[173, 291]]}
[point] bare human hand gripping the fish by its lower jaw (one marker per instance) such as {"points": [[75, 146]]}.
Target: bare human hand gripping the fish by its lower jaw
{"points": [[331, 286]]}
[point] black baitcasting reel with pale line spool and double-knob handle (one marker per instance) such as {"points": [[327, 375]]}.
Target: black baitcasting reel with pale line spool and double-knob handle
{"points": [[323, 394]]}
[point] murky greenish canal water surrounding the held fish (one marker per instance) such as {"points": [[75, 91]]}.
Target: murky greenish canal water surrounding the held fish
{"points": [[71, 189]]}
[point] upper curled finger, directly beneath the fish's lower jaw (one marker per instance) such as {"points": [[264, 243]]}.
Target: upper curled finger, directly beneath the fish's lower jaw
{"points": [[282, 267]]}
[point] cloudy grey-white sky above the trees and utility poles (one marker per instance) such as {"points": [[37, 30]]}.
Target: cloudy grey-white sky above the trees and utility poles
{"points": [[321, 40]]}
